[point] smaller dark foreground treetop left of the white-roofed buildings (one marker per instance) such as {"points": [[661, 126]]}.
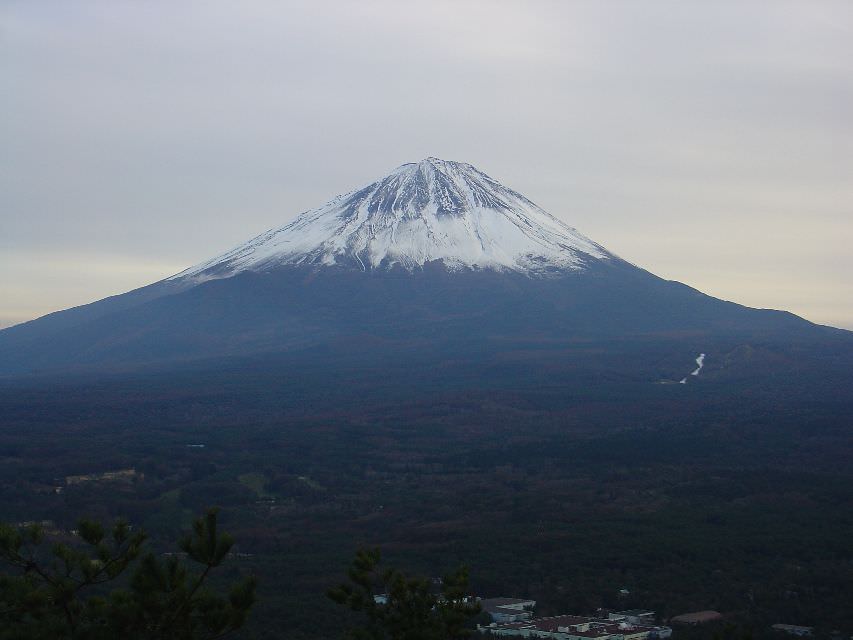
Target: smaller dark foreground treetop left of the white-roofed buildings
{"points": [[408, 609]]}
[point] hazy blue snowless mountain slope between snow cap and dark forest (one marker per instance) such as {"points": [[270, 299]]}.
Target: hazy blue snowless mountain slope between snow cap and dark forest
{"points": [[293, 309]]}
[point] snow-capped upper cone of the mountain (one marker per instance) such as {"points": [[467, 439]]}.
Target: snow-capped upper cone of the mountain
{"points": [[433, 210]]}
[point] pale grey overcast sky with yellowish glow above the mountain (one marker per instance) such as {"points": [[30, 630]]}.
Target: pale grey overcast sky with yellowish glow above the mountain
{"points": [[709, 142]]}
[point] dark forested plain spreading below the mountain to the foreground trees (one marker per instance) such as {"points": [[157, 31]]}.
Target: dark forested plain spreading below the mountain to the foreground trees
{"points": [[581, 477]]}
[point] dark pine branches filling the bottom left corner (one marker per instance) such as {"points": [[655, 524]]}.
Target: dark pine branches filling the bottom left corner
{"points": [[63, 592]]}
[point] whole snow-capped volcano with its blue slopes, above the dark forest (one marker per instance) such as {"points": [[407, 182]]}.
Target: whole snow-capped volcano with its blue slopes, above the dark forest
{"points": [[436, 257]]}
